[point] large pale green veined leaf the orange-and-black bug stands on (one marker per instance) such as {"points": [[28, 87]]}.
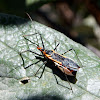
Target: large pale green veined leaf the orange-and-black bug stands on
{"points": [[12, 29]]}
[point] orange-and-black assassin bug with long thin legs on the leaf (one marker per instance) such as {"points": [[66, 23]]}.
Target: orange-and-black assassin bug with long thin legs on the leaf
{"points": [[66, 65]]}
